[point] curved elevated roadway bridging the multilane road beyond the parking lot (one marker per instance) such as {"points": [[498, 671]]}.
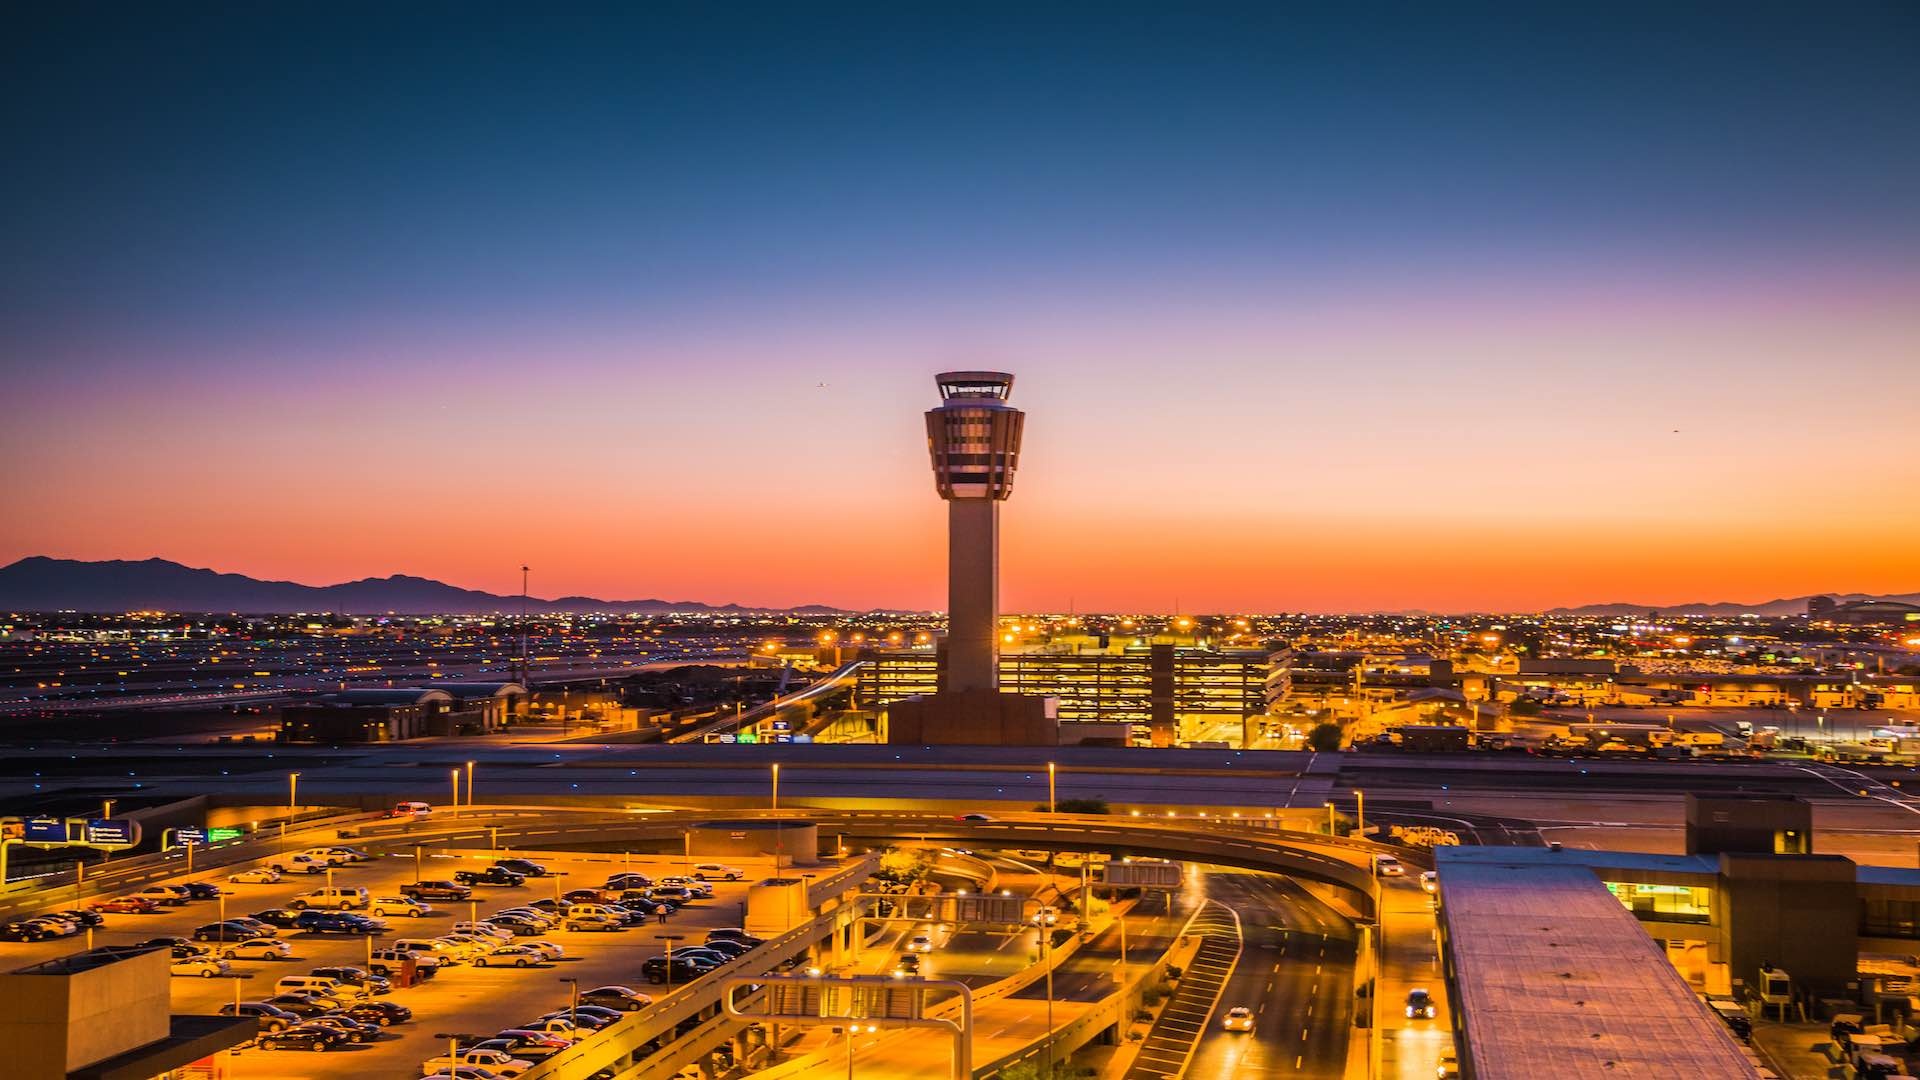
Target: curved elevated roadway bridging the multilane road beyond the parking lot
{"points": [[1343, 864]]}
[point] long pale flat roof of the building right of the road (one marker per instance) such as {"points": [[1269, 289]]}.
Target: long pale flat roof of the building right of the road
{"points": [[1554, 977]]}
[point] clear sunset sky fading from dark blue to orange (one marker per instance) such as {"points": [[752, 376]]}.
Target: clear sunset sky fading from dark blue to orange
{"points": [[1314, 312]]}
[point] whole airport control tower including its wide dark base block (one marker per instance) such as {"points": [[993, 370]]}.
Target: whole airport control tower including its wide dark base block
{"points": [[974, 439]]}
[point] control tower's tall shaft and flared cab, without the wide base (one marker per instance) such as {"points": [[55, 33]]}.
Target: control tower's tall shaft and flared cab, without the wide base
{"points": [[974, 439]]}
